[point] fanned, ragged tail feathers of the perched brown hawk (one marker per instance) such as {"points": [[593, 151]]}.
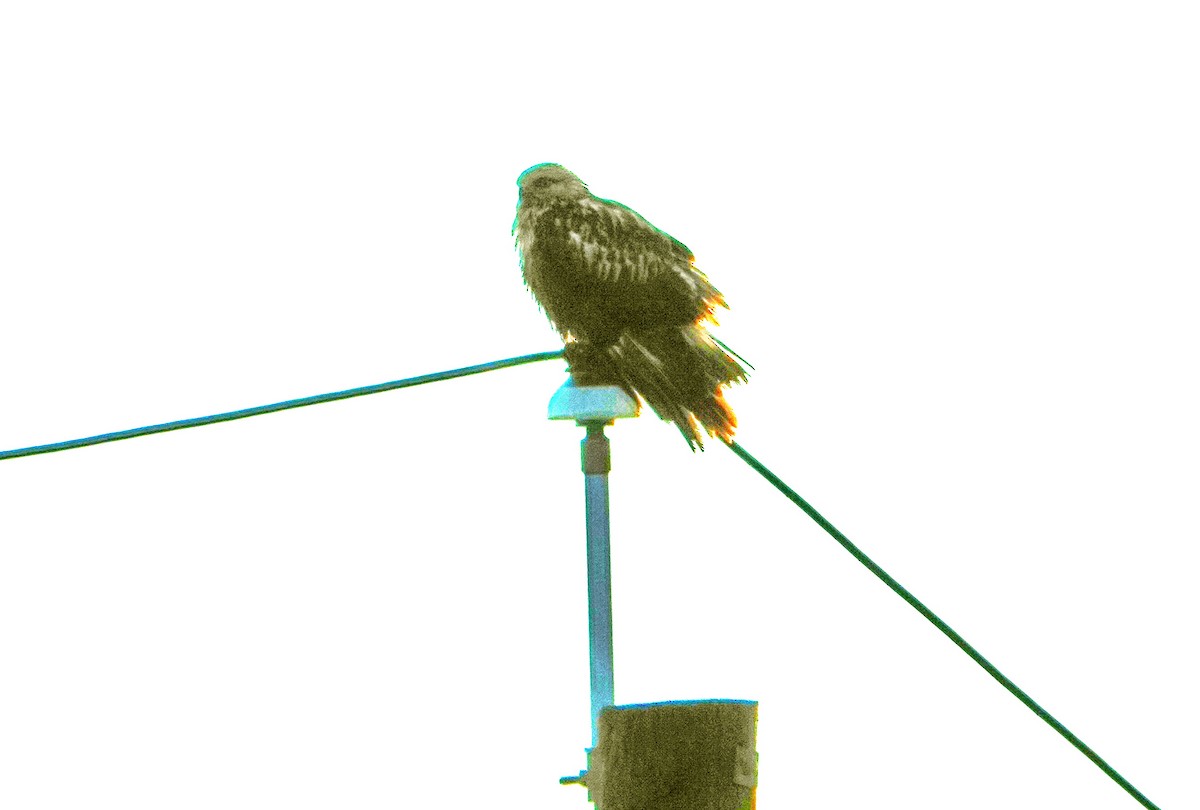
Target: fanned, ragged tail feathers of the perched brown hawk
{"points": [[681, 373]]}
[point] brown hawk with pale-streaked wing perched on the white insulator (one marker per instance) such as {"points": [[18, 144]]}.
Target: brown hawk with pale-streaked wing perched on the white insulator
{"points": [[628, 302]]}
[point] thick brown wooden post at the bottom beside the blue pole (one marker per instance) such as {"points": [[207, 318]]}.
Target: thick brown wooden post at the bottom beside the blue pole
{"points": [[681, 755]]}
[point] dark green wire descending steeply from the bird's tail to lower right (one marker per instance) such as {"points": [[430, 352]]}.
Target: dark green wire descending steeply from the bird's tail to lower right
{"points": [[873, 567]]}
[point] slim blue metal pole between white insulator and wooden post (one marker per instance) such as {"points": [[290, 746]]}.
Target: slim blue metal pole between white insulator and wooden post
{"points": [[597, 461]]}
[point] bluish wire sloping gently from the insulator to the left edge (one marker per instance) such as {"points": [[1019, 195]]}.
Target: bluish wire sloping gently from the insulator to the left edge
{"points": [[279, 406]]}
